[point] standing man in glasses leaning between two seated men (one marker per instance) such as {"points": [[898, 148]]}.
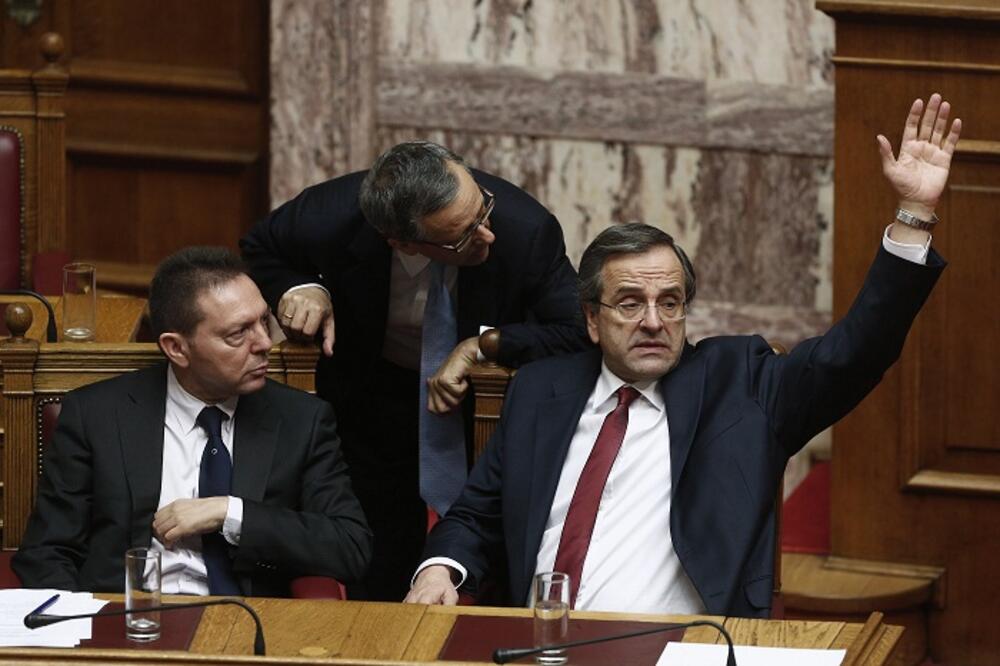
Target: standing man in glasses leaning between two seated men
{"points": [[365, 248]]}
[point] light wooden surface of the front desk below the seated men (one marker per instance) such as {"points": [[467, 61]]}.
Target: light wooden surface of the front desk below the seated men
{"points": [[351, 632]]}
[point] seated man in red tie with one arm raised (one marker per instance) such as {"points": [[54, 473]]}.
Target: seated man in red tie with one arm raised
{"points": [[648, 470]]}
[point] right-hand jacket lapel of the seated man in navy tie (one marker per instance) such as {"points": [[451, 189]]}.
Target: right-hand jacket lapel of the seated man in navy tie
{"points": [[254, 443]]}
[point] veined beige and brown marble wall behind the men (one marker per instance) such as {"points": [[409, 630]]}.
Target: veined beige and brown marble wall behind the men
{"points": [[712, 119]]}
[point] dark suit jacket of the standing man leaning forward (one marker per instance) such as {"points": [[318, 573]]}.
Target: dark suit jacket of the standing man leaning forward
{"points": [[526, 288]]}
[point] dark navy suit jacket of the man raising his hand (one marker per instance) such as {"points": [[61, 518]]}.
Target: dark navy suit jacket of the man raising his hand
{"points": [[736, 412]]}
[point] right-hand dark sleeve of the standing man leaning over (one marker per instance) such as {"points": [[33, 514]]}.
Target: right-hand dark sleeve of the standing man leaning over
{"points": [[554, 321]]}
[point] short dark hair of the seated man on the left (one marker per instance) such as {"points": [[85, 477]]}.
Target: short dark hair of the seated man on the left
{"points": [[181, 278]]}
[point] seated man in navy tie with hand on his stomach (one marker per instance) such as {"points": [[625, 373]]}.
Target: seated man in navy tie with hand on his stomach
{"points": [[238, 481]]}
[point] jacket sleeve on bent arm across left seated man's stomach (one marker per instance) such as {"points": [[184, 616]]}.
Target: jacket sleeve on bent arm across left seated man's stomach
{"points": [[326, 535]]}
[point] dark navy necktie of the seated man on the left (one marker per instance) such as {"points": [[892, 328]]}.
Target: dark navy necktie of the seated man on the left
{"points": [[215, 480]]}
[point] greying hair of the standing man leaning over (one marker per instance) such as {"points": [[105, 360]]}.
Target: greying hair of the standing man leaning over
{"points": [[405, 184]]}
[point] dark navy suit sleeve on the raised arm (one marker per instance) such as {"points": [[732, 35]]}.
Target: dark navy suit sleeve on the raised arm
{"points": [[824, 378]]}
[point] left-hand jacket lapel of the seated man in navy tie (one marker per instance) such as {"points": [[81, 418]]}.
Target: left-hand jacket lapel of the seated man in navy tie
{"points": [[140, 426]]}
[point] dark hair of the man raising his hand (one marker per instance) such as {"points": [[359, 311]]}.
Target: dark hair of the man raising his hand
{"points": [[632, 238]]}
